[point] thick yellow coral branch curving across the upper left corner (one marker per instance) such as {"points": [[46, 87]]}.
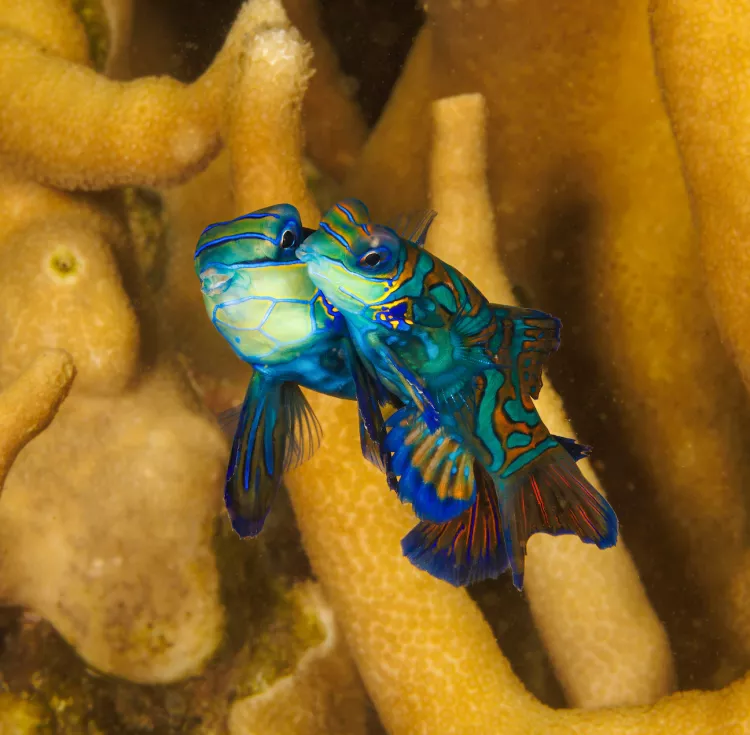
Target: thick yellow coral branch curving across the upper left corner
{"points": [[66, 125]]}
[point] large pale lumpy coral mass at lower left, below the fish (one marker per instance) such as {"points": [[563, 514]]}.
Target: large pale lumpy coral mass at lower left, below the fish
{"points": [[111, 492]]}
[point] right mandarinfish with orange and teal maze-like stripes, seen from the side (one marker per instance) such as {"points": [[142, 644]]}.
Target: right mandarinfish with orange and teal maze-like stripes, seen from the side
{"points": [[467, 372]]}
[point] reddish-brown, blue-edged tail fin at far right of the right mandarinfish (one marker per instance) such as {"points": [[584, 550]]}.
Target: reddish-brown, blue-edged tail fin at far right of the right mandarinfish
{"points": [[550, 495]]}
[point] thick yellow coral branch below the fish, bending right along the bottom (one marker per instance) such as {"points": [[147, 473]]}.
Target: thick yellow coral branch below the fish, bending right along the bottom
{"points": [[428, 658]]}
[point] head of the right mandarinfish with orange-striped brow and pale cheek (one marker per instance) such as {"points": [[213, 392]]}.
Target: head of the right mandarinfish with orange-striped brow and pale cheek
{"points": [[355, 264]]}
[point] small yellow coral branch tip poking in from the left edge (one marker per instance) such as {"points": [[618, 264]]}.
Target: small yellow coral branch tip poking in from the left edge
{"points": [[31, 401]]}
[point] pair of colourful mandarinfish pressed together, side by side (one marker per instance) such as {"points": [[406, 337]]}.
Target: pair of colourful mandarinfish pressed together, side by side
{"points": [[368, 314]]}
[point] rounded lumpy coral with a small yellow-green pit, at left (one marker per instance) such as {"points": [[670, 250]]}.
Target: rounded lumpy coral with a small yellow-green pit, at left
{"points": [[60, 287]]}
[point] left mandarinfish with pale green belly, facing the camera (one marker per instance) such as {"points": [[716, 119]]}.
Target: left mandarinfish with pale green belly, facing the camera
{"points": [[261, 300]]}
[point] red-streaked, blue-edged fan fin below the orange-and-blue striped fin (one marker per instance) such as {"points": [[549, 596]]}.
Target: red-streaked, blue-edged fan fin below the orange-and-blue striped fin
{"points": [[468, 548]]}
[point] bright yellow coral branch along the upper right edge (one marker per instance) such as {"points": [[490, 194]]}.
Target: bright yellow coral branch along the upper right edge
{"points": [[702, 52]]}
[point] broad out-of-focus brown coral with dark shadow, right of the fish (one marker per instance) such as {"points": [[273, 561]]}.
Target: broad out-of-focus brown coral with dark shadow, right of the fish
{"points": [[598, 232]]}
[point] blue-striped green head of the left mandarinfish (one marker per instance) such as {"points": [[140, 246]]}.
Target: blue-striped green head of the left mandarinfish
{"points": [[229, 254]]}
